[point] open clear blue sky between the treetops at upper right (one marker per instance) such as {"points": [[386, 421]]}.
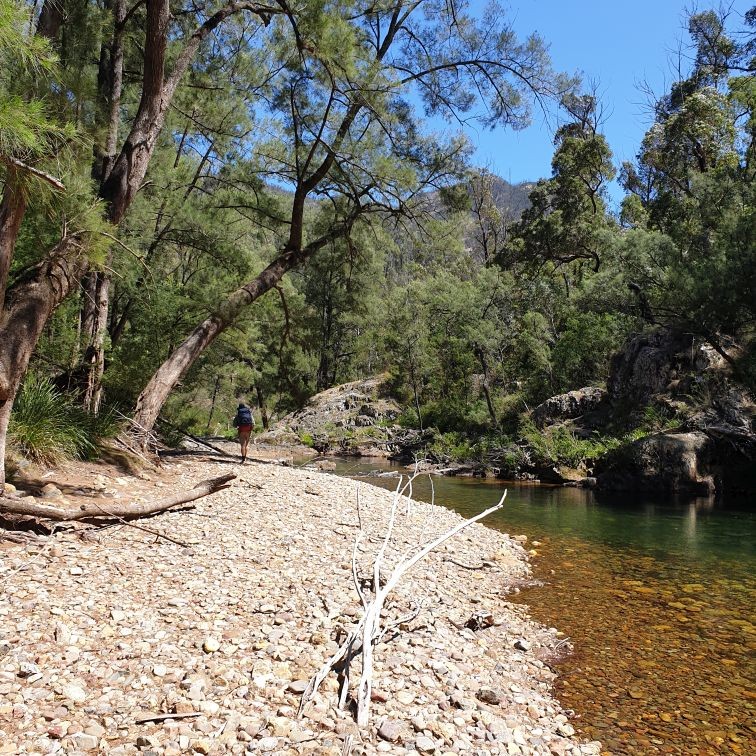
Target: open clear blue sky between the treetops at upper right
{"points": [[619, 43]]}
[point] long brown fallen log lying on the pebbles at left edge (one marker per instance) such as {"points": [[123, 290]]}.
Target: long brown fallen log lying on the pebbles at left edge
{"points": [[124, 511]]}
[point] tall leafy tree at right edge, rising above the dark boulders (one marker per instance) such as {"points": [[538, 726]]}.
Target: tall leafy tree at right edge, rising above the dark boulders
{"points": [[691, 203]]}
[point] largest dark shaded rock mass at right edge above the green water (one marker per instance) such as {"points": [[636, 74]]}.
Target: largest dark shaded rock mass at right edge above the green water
{"points": [[712, 447]]}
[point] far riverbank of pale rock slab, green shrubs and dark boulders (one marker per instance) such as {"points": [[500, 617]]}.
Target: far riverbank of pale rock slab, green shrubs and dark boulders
{"points": [[672, 419]]}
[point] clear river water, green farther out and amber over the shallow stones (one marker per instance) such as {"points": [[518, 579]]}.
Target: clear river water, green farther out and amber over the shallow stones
{"points": [[657, 597]]}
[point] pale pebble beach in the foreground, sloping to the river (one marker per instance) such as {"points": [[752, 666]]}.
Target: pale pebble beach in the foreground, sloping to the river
{"points": [[115, 641]]}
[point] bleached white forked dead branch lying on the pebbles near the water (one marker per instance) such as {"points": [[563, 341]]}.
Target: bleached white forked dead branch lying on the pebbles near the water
{"points": [[370, 628]]}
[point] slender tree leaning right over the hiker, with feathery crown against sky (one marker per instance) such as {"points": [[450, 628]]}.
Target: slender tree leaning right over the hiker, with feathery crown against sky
{"points": [[346, 136]]}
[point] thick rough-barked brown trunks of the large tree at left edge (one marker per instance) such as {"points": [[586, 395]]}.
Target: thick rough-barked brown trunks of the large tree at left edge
{"points": [[37, 292]]}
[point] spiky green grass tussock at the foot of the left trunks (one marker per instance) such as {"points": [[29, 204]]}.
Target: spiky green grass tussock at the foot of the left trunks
{"points": [[46, 427]]}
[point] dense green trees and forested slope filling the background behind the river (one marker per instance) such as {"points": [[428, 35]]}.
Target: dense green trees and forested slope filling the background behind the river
{"points": [[202, 204]]}
